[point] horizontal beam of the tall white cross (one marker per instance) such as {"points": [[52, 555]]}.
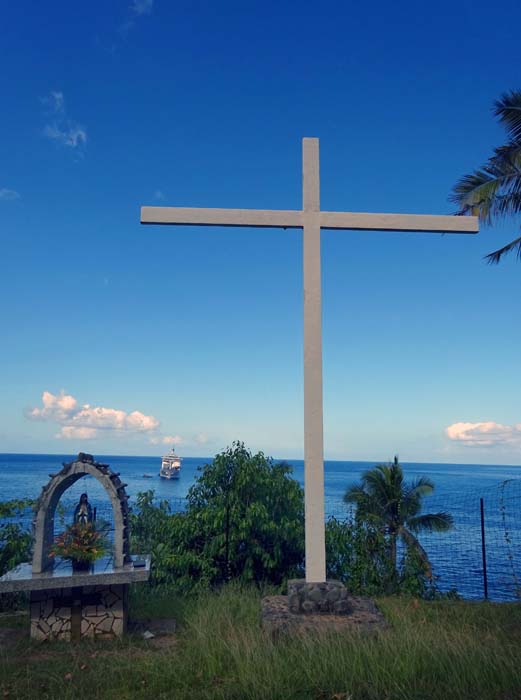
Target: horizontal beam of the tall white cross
{"points": [[273, 218]]}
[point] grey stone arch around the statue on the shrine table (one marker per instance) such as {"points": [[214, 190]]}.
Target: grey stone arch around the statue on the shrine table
{"points": [[50, 497]]}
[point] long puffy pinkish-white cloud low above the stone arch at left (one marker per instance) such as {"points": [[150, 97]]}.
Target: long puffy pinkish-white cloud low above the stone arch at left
{"points": [[86, 421]]}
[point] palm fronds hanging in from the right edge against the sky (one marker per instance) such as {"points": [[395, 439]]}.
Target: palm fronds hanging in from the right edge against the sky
{"points": [[494, 190]]}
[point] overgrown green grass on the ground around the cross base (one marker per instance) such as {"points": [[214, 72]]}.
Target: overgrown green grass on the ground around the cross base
{"points": [[439, 650]]}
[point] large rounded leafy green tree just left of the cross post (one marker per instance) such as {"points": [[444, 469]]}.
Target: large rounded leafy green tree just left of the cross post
{"points": [[247, 515]]}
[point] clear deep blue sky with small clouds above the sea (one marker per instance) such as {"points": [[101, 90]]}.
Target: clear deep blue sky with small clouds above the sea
{"points": [[123, 339]]}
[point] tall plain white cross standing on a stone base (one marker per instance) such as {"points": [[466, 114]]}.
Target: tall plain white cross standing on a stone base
{"points": [[311, 219]]}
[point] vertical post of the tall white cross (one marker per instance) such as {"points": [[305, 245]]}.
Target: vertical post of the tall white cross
{"points": [[313, 421]]}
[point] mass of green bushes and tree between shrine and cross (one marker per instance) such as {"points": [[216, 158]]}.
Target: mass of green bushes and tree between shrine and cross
{"points": [[244, 521]]}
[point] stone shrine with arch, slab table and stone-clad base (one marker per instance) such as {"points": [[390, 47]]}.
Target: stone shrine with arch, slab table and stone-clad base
{"points": [[67, 604]]}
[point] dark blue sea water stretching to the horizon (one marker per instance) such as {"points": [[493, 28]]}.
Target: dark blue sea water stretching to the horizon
{"points": [[456, 556]]}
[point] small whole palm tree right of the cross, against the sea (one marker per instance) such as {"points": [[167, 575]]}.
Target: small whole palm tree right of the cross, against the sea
{"points": [[385, 500]]}
